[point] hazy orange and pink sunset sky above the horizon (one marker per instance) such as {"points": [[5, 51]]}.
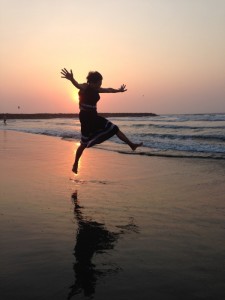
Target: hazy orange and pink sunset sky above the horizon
{"points": [[169, 53]]}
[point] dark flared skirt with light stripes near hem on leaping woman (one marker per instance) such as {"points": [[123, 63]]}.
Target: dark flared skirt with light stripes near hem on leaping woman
{"points": [[95, 129]]}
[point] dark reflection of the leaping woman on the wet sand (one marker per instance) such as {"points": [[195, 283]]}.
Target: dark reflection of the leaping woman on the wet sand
{"points": [[92, 238]]}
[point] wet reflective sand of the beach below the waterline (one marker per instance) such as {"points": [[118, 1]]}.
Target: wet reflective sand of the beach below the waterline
{"points": [[126, 227]]}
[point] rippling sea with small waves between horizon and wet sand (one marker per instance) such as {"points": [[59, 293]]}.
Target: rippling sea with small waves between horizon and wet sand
{"points": [[192, 135]]}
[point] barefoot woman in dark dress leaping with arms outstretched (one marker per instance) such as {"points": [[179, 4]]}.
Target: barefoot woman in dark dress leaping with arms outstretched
{"points": [[94, 128]]}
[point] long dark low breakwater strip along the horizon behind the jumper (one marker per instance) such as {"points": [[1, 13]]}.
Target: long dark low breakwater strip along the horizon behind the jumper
{"points": [[61, 115]]}
